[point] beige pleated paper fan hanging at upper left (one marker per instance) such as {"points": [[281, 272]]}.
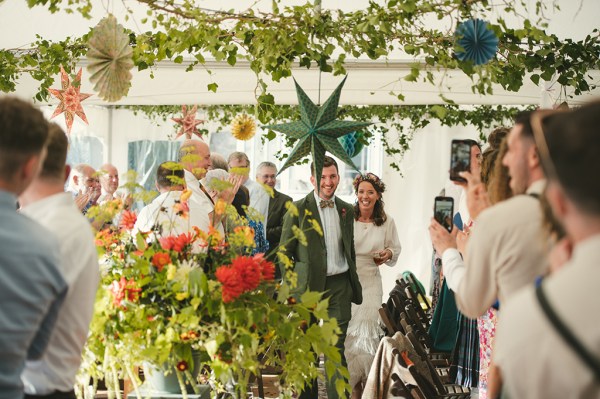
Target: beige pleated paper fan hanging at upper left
{"points": [[110, 59]]}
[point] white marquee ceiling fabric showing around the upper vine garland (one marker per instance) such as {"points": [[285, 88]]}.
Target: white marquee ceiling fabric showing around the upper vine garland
{"points": [[369, 82]]}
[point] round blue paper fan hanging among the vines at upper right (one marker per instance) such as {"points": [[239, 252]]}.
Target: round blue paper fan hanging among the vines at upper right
{"points": [[479, 44]]}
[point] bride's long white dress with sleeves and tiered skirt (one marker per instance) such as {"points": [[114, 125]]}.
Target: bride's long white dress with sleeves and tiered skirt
{"points": [[364, 333]]}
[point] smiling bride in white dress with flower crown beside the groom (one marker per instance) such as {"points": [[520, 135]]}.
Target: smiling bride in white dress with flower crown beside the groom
{"points": [[376, 242]]}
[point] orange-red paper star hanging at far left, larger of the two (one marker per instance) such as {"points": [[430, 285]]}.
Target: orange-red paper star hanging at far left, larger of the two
{"points": [[70, 98]]}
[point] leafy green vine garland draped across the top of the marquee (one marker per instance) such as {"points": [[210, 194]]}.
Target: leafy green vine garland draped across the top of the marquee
{"points": [[275, 41]]}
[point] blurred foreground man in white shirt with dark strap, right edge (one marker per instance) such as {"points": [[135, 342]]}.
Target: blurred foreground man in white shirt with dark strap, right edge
{"points": [[534, 358]]}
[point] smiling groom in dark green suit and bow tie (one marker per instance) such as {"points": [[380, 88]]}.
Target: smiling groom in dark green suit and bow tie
{"points": [[327, 263]]}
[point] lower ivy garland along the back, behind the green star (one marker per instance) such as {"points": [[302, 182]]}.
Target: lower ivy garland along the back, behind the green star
{"points": [[404, 121]]}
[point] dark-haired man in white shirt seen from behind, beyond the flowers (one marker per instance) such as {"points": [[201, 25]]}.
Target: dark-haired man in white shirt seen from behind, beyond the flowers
{"points": [[169, 214]]}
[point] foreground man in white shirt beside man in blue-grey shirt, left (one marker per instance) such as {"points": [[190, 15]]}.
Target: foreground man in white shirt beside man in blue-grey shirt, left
{"points": [[46, 202]]}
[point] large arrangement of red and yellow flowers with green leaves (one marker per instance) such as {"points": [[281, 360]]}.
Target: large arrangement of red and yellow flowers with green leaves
{"points": [[167, 300]]}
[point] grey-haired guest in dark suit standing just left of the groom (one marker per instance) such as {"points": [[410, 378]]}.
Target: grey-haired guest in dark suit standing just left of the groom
{"points": [[267, 174]]}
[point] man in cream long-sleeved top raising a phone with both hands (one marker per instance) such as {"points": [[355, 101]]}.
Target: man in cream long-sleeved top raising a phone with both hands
{"points": [[505, 250]]}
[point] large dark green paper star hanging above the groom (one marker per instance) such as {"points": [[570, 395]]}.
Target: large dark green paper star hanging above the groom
{"points": [[318, 131]]}
